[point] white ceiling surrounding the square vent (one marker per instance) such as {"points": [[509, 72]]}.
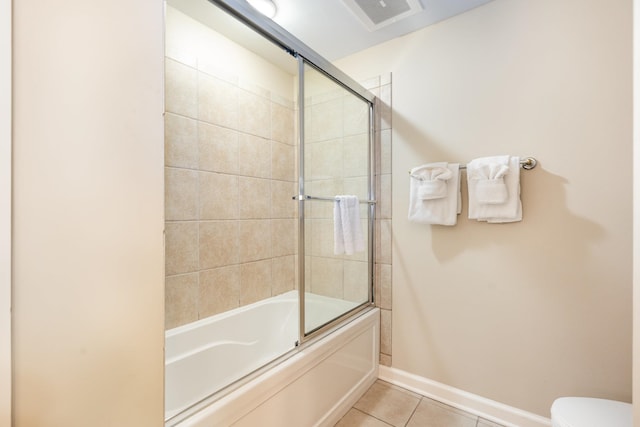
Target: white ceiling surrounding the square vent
{"points": [[332, 30]]}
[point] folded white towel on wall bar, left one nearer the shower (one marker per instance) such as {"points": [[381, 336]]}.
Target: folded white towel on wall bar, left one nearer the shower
{"points": [[434, 193]]}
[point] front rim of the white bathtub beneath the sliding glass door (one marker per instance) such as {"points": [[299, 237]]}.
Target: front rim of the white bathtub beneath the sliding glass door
{"points": [[337, 329]]}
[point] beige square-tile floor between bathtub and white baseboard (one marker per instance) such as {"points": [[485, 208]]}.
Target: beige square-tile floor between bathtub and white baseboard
{"points": [[385, 405]]}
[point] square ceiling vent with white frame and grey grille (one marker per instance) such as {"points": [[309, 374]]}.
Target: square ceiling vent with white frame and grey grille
{"points": [[375, 14]]}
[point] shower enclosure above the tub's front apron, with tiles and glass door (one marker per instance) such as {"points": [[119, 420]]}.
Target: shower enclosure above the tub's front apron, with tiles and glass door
{"points": [[262, 134]]}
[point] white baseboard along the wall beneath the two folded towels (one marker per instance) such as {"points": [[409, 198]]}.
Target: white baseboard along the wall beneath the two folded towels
{"points": [[469, 402]]}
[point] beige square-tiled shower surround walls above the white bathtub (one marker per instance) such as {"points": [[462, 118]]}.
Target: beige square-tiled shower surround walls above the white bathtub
{"points": [[230, 157]]}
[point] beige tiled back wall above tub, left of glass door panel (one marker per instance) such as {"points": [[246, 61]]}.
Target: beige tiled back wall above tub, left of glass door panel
{"points": [[229, 178]]}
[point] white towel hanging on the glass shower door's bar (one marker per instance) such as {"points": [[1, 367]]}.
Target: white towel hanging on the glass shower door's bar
{"points": [[347, 229]]}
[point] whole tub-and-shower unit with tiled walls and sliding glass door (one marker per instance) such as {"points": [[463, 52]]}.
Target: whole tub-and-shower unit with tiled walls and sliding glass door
{"points": [[262, 134]]}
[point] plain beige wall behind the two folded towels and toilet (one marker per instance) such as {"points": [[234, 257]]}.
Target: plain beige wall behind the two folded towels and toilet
{"points": [[520, 313]]}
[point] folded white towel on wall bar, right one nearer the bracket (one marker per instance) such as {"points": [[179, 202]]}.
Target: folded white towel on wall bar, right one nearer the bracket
{"points": [[494, 189]]}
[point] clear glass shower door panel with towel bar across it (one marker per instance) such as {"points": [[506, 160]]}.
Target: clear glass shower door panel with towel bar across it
{"points": [[336, 163]]}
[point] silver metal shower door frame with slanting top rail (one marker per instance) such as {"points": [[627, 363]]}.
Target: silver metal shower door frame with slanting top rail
{"points": [[242, 11]]}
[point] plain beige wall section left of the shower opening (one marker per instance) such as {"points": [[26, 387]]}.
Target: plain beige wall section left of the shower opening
{"points": [[88, 178]]}
